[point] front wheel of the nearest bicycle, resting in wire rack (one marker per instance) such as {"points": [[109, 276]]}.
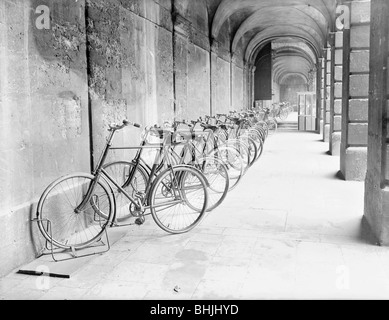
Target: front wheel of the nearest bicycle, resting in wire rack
{"points": [[78, 208]]}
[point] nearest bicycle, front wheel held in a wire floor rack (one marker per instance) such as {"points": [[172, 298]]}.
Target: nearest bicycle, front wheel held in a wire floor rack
{"points": [[81, 206]]}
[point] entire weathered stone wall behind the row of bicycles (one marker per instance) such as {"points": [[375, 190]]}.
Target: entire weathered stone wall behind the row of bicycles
{"points": [[97, 62]]}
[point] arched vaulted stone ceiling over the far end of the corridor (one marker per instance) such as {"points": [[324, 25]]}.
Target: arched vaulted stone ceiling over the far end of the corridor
{"points": [[298, 29]]}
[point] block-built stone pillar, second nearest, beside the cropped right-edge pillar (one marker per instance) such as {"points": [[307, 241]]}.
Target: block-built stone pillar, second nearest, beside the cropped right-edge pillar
{"points": [[356, 43]]}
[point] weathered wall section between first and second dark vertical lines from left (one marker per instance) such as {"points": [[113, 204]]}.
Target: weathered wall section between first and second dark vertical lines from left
{"points": [[130, 64]]}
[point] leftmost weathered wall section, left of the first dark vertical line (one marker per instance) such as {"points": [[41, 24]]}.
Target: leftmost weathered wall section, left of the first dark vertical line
{"points": [[44, 112]]}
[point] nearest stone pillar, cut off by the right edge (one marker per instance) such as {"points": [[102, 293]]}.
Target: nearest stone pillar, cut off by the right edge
{"points": [[377, 179]]}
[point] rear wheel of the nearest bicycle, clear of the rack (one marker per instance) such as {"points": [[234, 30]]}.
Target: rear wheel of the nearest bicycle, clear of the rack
{"points": [[179, 198]]}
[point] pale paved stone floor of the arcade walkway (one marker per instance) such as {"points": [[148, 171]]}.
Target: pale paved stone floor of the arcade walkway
{"points": [[291, 230]]}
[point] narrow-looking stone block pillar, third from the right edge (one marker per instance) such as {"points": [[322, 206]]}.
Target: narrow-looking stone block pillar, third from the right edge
{"points": [[336, 110]]}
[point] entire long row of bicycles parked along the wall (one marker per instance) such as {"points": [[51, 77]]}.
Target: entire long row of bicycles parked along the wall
{"points": [[195, 164]]}
